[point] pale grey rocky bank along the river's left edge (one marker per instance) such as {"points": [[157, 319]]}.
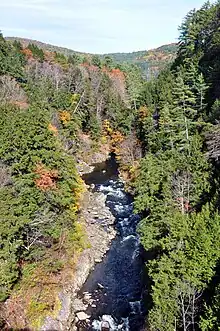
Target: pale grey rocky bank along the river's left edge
{"points": [[99, 235]]}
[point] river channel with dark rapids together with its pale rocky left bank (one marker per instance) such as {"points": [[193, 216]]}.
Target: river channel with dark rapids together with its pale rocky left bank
{"points": [[108, 286]]}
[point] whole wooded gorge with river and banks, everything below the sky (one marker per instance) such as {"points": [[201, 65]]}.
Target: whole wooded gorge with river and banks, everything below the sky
{"points": [[131, 243]]}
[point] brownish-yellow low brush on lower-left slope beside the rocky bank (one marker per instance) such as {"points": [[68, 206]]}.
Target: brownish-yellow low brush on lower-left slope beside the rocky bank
{"points": [[36, 296]]}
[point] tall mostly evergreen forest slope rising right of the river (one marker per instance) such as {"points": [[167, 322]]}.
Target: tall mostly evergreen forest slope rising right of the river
{"points": [[177, 188]]}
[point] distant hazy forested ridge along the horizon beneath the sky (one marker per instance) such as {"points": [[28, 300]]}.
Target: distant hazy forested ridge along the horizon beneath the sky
{"points": [[150, 62]]}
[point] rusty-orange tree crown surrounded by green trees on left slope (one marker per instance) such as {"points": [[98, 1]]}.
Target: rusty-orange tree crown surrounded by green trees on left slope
{"points": [[46, 178]]}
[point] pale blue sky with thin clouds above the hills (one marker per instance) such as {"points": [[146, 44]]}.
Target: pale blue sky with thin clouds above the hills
{"points": [[96, 26]]}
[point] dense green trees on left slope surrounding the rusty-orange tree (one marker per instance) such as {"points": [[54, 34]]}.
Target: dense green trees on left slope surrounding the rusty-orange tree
{"points": [[27, 142]]}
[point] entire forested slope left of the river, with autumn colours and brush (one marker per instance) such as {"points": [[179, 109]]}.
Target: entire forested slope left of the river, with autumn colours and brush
{"points": [[48, 104]]}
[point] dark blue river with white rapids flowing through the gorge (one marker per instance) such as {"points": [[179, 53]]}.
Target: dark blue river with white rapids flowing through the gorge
{"points": [[116, 284]]}
